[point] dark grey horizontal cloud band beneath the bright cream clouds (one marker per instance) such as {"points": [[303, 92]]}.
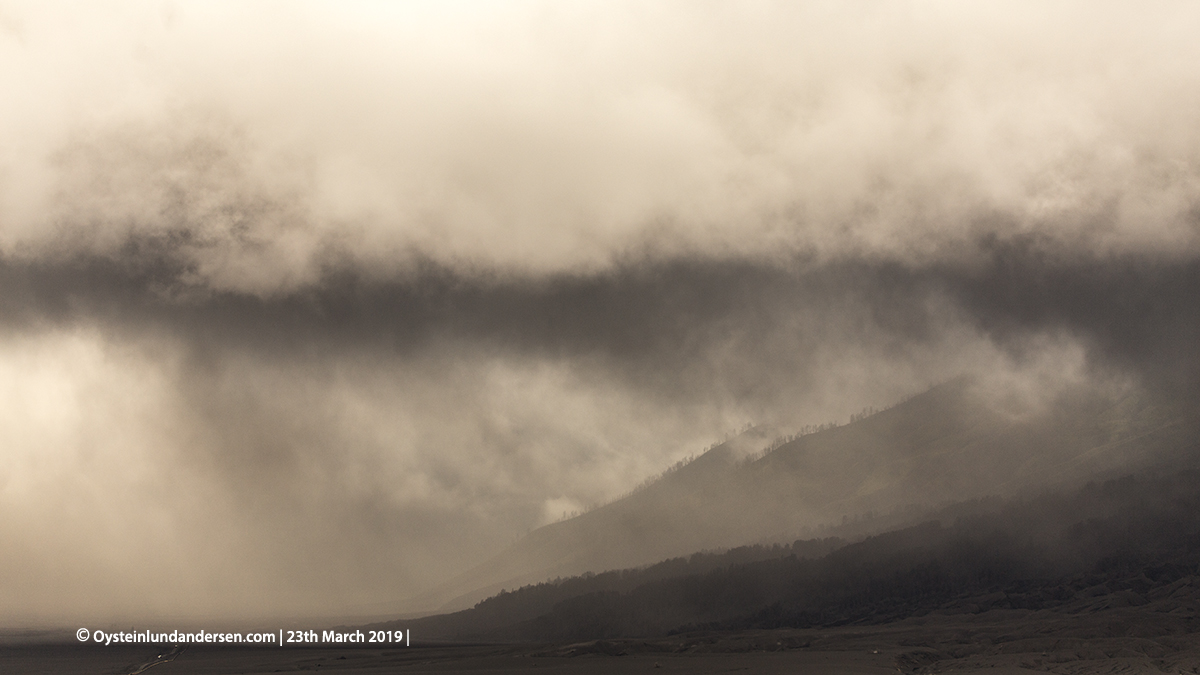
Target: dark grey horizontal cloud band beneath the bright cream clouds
{"points": [[1133, 310]]}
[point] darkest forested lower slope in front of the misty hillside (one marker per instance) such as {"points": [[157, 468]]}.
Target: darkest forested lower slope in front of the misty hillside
{"points": [[1118, 541]]}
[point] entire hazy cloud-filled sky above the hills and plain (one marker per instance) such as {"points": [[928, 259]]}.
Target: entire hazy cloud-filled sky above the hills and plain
{"points": [[305, 306]]}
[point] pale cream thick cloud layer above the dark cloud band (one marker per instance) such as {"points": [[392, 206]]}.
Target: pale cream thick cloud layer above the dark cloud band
{"points": [[263, 141]]}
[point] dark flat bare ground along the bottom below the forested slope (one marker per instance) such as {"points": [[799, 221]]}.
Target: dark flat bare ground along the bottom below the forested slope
{"points": [[1088, 637]]}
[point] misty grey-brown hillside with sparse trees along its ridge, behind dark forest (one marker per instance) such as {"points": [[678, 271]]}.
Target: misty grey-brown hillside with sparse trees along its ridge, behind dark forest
{"points": [[949, 444]]}
